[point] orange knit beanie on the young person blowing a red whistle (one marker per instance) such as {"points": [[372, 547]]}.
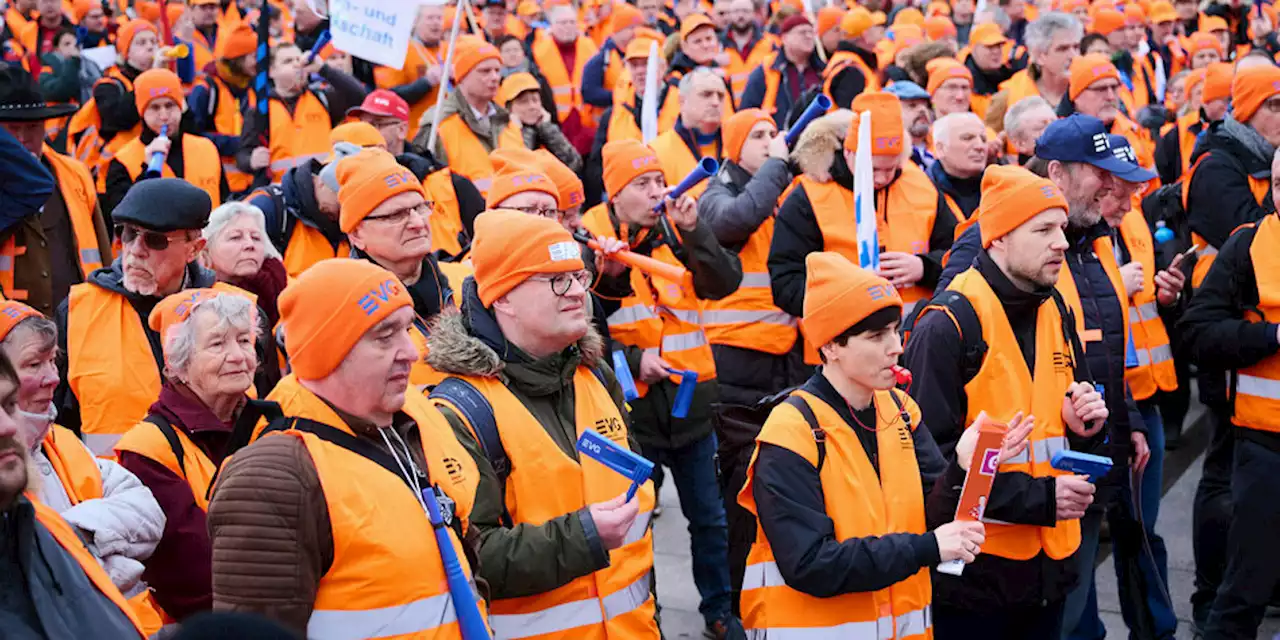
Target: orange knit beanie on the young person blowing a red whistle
{"points": [[838, 295]]}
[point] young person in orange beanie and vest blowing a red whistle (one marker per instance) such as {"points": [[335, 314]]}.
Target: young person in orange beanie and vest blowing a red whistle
{"points": [[840, 477]]}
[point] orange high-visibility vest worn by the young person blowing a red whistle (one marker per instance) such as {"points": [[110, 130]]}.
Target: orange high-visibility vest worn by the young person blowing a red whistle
{"points": [[861, 504]]}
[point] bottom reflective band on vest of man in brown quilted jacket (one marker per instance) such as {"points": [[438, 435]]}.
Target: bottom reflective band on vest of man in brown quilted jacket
{"points": [[415, 618]]}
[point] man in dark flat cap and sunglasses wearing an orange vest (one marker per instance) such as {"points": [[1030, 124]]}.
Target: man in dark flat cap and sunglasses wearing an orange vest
{"points": [[109, 360]]}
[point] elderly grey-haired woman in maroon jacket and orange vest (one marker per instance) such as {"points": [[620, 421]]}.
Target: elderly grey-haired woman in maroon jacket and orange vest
{"points": [[209, 337]]}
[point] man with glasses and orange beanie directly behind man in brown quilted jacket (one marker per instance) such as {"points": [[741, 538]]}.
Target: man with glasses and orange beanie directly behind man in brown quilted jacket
{"points": [[386, 216]]}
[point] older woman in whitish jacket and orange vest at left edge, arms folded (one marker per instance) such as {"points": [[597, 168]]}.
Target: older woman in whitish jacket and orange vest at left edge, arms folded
{"points": [[111, 510]]}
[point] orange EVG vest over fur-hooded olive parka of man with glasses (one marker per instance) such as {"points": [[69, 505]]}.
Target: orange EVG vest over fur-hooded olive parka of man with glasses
{"points": [[612, 604]]}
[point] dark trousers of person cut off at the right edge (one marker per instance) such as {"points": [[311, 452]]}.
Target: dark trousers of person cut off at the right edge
{"points": [[1254, 566]]}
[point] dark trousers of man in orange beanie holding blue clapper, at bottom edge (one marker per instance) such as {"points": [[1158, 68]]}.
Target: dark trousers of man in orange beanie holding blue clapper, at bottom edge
{"points": [[1008, 624]]}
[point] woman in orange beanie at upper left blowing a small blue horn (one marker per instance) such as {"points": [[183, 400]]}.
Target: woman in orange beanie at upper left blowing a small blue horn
{"points": [[161, 102]]}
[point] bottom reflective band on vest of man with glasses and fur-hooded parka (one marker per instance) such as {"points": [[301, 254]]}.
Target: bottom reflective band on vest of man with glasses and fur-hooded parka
{"points": [[568, 616]]}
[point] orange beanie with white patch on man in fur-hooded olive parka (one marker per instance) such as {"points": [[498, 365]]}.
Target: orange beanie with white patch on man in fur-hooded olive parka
{"points": [[511, 246]]}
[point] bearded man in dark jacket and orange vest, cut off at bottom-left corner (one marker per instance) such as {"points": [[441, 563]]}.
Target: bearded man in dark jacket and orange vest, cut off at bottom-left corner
{"points": [[51, 587]]}
